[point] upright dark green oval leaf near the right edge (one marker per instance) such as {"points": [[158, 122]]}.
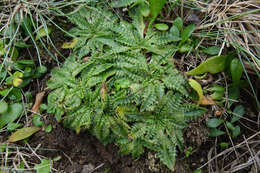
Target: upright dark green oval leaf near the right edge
{"points": [[236, 70]]}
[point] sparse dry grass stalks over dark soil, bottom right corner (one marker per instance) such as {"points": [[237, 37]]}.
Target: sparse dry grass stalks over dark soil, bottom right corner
{"points": [[241, 157]]}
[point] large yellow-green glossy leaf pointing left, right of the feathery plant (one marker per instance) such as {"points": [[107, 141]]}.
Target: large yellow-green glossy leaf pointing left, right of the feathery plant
{"points": [[212, 65]]}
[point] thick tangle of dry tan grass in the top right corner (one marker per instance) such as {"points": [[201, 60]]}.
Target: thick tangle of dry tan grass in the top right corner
{"points": [[239, 20]]}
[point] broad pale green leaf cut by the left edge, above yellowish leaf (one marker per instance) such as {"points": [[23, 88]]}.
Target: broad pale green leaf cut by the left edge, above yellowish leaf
{"points": [[14, 111]]}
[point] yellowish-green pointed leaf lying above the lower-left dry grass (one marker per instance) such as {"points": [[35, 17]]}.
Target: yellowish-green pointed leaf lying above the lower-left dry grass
{"points": [[23, 133]]}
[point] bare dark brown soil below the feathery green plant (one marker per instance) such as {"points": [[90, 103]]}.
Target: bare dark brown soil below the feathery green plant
{"points": [[83, 153]]}
